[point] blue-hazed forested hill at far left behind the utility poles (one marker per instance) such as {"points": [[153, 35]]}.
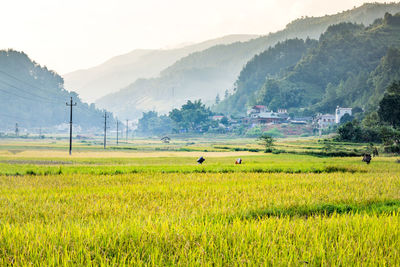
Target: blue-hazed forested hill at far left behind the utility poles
{"points": [[33, 96]]}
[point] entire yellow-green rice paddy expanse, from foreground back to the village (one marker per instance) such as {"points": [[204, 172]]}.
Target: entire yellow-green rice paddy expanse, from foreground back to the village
{"points": [[147, 203]]}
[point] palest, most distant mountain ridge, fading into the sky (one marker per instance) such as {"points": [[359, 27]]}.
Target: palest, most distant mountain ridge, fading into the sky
{"points": [[122, 70]]}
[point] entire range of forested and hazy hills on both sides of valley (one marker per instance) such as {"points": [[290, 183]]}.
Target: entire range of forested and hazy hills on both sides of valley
{"points": [[314, 64]]}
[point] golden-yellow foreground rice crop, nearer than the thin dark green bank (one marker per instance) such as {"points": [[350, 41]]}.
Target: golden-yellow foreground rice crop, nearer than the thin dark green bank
{"points": [[201, 219]]}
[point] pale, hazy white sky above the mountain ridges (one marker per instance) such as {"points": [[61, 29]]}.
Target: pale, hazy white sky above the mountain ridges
{"points": [[66, 35]]}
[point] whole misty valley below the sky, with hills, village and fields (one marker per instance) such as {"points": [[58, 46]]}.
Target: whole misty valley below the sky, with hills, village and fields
{"points": [[247, 149]]}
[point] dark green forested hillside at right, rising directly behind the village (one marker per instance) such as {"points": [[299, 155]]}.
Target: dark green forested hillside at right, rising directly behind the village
{"points": [[350, 66]]}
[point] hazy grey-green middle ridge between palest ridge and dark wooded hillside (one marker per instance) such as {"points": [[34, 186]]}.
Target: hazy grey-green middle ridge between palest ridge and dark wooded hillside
{"points": [[210, 72]]}
